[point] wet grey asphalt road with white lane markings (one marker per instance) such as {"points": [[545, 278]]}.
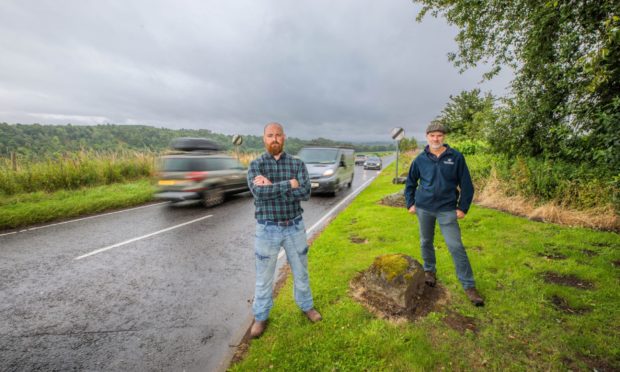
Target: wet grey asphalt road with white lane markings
{"points": [[154, 288]]}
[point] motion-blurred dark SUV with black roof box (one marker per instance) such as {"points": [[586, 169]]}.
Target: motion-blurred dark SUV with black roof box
{"points": [[204, 175]]}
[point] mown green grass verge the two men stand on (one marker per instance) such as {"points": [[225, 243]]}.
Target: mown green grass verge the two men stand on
{"points": [[518, 329]]}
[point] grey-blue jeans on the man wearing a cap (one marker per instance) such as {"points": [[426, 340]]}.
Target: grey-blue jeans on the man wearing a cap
{"points": [[451, 232]]}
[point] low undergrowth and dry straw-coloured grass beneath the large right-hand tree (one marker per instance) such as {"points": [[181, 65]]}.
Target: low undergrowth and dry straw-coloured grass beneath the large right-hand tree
{"points": [[543, 189]]}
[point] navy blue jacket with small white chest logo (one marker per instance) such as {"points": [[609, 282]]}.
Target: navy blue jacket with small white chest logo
{"points": [[433, 182]]}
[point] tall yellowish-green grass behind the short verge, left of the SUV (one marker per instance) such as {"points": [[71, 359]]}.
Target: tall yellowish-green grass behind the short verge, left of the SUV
{"points": [[74, 171]]}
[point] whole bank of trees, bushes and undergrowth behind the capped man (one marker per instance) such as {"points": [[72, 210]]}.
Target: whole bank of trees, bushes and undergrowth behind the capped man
{"points": [[556, 135]]}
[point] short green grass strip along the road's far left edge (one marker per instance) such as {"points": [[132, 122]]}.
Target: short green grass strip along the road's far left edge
{"points": [[27, 209]]}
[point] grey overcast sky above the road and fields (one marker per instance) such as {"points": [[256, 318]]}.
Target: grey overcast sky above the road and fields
{"points": [[345, 70]]}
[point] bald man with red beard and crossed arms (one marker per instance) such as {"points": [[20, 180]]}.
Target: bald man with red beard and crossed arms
{"points": [[279, 182]]}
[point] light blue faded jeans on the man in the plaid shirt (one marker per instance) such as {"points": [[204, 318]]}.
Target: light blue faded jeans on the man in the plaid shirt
{"points": [[269, 239]]}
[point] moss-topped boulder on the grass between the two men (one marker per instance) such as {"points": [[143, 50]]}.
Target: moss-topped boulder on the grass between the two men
{"points": [[397, 278]]}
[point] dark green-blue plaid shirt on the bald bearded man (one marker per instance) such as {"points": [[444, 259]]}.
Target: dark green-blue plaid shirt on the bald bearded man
{"points": [[279, 201]]}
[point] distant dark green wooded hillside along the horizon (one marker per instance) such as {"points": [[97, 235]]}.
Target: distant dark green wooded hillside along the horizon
{"points": [[36, 141]]}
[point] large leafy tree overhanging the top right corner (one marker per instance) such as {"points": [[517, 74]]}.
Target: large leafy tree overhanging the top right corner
{"points": [[566, 56]]}
